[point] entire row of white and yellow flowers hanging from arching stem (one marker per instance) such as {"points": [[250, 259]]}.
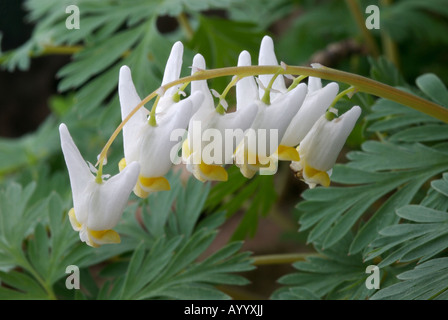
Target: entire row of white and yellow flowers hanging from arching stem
{"points": [[271, 123]]}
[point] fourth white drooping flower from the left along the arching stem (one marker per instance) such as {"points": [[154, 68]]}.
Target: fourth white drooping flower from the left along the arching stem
{"points": [[260, 150]]}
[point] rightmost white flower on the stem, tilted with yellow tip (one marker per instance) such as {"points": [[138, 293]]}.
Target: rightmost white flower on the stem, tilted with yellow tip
{"points": [[320, 148]]}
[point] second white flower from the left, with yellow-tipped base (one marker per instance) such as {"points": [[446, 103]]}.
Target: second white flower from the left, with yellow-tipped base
{"points": [[148, 145]]}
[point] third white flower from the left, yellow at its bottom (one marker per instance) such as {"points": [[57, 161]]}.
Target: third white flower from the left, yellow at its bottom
{"points": [[211, 135]]}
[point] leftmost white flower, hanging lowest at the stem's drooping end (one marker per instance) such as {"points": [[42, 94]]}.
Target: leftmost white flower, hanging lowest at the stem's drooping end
{"points": [[97, 206]]}
